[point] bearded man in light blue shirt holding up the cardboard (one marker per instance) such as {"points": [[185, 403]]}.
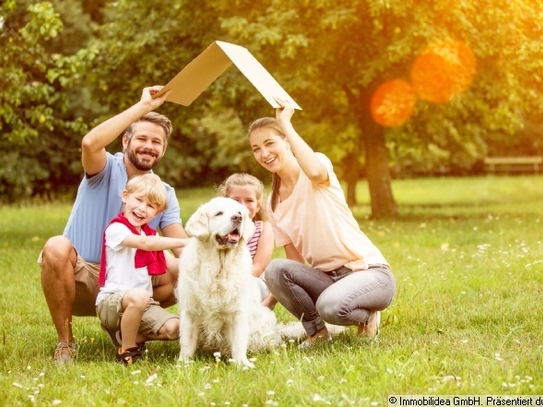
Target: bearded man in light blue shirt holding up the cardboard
{"points": [[70, 263]]}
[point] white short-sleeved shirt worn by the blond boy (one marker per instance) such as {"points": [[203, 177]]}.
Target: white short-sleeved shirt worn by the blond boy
{"points": [[121, 273]]}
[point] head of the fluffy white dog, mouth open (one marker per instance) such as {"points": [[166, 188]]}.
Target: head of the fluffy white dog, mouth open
{"points": [[221, 221]]}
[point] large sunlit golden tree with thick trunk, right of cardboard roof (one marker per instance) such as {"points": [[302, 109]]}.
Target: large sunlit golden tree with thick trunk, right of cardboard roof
{"points": [[341, 51]]}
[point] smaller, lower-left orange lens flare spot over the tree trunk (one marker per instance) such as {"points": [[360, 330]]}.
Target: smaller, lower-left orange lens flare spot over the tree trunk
{"points": [[393, 103]]}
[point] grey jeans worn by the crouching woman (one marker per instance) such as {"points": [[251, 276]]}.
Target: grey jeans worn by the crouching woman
{"points": [[340, 297]]}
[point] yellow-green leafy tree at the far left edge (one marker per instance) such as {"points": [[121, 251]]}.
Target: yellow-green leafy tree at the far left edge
{"points": [[36, 124]]}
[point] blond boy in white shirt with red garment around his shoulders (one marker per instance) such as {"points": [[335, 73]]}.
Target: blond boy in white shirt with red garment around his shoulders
{"points": [[131, 254]]}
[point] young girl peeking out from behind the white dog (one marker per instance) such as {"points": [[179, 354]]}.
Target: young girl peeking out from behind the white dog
{"points": [[249, 191]]}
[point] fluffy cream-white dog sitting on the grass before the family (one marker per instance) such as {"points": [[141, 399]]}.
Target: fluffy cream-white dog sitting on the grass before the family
{"points": [[219, 301]]}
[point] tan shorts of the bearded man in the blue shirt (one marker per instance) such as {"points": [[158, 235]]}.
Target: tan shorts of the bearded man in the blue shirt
{"points": [[86, 286]]}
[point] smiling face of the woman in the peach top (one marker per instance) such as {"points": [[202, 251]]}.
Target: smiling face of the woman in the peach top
{"points": [[268, 148]]}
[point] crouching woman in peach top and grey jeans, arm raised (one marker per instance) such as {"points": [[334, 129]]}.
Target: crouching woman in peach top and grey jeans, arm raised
{"points": [[332, 272]]}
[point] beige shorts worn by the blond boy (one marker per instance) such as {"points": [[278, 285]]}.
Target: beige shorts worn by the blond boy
{"points": [[110, 311]]}
